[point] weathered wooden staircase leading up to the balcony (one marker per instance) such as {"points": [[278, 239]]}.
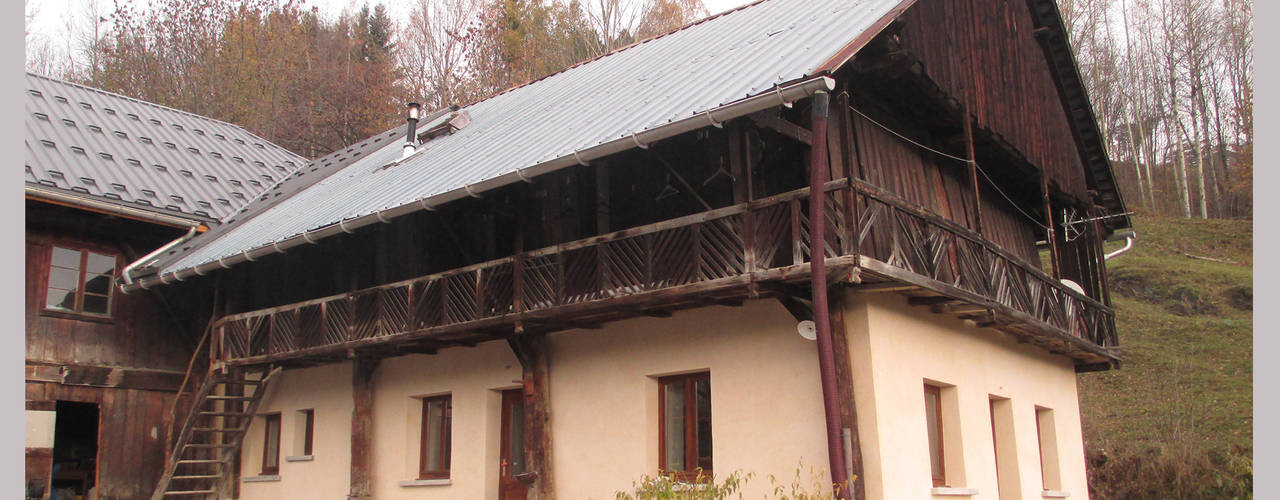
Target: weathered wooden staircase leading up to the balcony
{"points": [[212, 435]]}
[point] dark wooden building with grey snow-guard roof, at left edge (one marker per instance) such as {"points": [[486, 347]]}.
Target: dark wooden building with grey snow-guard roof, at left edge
{"points": [[109, 180]]}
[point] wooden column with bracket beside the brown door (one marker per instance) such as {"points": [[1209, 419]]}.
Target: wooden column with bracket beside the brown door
{"points": [[532, 352]]}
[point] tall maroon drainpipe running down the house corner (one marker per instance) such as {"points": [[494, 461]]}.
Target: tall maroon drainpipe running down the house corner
{"points": [[821, 316]]}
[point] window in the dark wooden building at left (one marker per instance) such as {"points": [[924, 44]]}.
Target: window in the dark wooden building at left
{"points": [[80, 282]]}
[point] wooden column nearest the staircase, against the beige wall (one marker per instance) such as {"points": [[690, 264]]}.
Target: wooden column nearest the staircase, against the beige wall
{"points": [[363, 429]]}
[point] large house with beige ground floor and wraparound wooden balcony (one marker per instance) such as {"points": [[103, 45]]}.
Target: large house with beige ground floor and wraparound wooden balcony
{"points": [[860, 236]]}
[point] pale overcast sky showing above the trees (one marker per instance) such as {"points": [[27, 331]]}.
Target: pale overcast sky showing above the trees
{"points": [[52, 16]]}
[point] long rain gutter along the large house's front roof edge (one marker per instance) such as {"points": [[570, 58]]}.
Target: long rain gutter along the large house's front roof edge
{"points": [[781, 95]]}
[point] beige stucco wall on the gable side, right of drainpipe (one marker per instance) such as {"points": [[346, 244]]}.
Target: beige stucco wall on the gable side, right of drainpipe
{"points": [[897, 348]]}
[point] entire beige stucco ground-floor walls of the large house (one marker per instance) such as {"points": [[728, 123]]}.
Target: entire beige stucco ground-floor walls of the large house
{"points": [[766, 406]]}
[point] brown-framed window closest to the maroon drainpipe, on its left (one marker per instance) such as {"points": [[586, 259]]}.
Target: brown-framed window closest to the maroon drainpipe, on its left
{"points": [[685, 425]]}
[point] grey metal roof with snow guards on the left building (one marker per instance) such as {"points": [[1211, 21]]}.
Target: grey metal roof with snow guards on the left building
{"points": [[135, 154]]}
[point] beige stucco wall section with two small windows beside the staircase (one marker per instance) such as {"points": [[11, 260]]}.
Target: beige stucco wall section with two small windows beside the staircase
{"points": [[327, 389]]}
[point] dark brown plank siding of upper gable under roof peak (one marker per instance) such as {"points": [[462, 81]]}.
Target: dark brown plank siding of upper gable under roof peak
{"points": [[985, 54]]}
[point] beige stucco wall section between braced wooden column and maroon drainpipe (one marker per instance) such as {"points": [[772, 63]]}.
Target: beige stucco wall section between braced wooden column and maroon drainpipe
{"points": [[766, 397]]}
